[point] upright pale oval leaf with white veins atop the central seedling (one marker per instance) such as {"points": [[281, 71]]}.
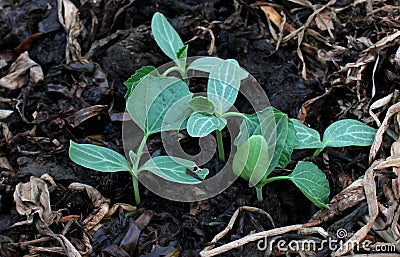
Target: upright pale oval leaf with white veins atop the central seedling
{"points": [[223, 86]]}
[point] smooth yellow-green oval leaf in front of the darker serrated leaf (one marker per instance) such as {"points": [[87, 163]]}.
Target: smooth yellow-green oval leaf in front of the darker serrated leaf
{"points": [[252, 159]]}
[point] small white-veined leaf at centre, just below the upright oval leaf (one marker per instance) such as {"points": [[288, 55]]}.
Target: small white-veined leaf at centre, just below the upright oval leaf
{"points": [[200, 124]]}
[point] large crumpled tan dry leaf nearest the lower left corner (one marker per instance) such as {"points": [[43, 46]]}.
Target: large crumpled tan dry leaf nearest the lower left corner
{"points": [[33, 197]]}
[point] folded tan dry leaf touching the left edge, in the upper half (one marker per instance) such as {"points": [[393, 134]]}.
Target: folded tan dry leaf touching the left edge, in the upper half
{"points": [[15, 77]]}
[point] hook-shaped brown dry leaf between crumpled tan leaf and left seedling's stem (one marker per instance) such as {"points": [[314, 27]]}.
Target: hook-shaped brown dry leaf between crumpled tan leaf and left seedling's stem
{"points": [[100, 203]]}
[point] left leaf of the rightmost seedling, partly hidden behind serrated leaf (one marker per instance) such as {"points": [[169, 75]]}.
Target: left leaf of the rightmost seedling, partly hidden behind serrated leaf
{"points": [[308, 137]]}
